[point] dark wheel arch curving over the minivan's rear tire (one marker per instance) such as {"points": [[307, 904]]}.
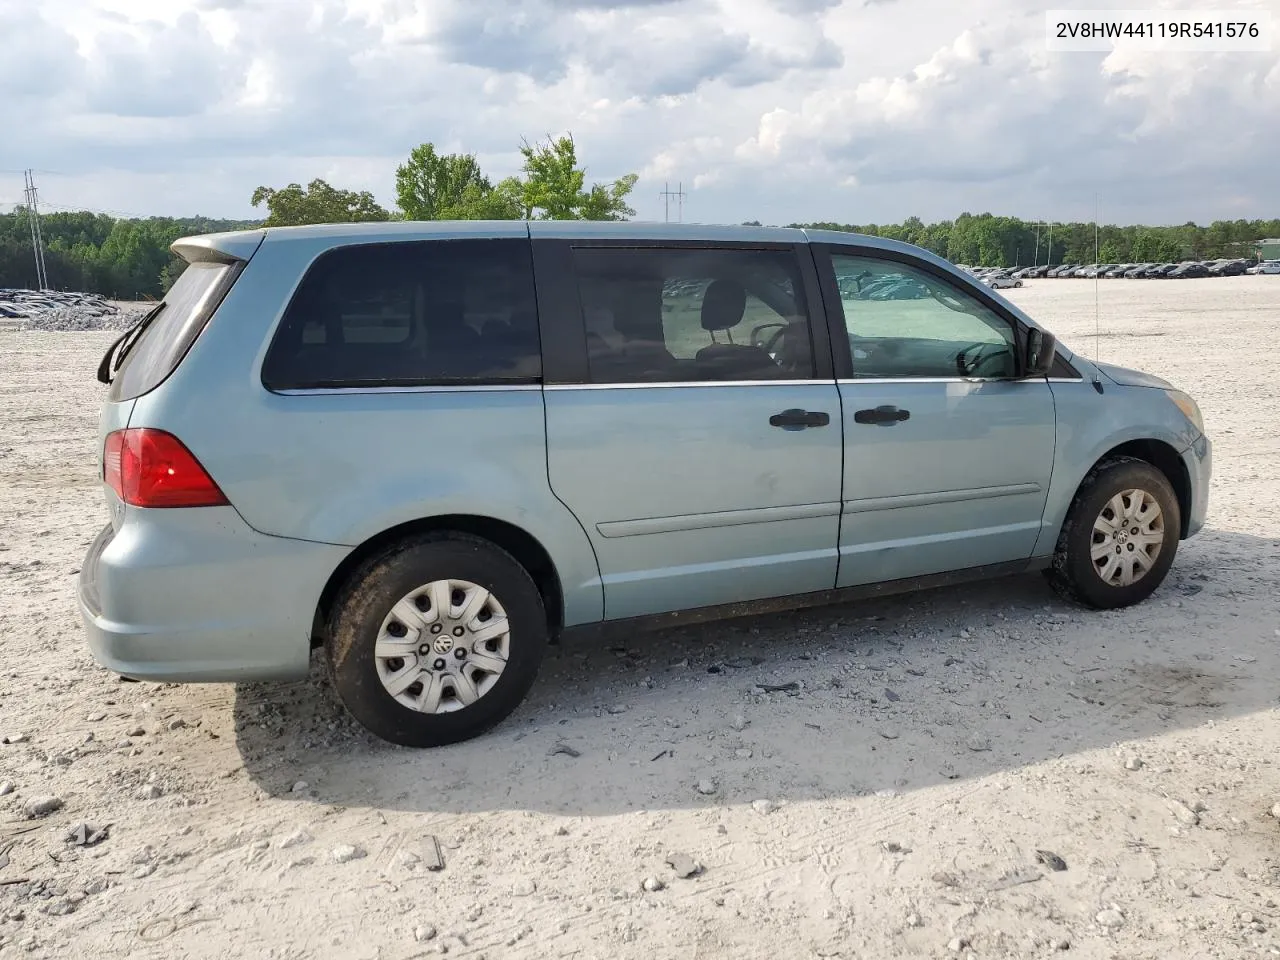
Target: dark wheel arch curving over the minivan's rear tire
{"points": [[528, 551]]}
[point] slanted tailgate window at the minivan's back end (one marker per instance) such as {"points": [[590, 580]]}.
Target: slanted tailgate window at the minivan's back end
{"points": [[166, 341]]}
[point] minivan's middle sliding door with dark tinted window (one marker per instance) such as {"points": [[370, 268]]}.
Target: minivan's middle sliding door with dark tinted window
{"points": [[702, 447]]}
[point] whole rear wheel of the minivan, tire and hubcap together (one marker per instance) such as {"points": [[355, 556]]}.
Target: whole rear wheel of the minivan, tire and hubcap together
{"points": [[458, 668]]}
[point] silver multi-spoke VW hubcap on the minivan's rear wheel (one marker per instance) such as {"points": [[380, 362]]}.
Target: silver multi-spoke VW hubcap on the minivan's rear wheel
{"points": [[452, 618]]}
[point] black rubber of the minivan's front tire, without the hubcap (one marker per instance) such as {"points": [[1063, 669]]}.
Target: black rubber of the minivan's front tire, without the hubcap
{"points": [[1077, 565]]}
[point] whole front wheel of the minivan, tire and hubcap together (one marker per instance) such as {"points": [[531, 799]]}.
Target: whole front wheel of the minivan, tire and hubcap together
{"points": [[1077, 577]]}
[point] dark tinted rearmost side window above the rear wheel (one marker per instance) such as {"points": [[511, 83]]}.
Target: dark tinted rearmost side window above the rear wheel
{"points": [[412, 314]]}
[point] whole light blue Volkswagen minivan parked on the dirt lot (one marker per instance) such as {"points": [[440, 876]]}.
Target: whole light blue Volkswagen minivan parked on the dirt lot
{"points": [[432, 449]]}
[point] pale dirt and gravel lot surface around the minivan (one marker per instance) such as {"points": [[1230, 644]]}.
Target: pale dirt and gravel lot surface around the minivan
{"points": [[940, 756]]}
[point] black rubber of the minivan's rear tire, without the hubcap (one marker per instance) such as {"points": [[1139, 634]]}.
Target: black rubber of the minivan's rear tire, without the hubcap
{"points": [[377, 587]]}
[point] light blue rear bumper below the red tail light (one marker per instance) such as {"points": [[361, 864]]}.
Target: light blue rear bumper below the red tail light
{"points": [[196, 596]]}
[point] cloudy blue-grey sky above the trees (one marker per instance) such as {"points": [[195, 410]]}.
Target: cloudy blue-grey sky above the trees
{"points": [[772, 111]]}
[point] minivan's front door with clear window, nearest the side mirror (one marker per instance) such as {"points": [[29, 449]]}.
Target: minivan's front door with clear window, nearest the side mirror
{"points": [[948, 454]]}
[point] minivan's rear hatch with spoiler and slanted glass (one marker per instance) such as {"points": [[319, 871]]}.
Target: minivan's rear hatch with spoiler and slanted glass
{"points": [[148, 354]]}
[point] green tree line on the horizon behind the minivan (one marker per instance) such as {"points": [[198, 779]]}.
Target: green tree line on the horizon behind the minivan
{"points": [[130, 258]]}
